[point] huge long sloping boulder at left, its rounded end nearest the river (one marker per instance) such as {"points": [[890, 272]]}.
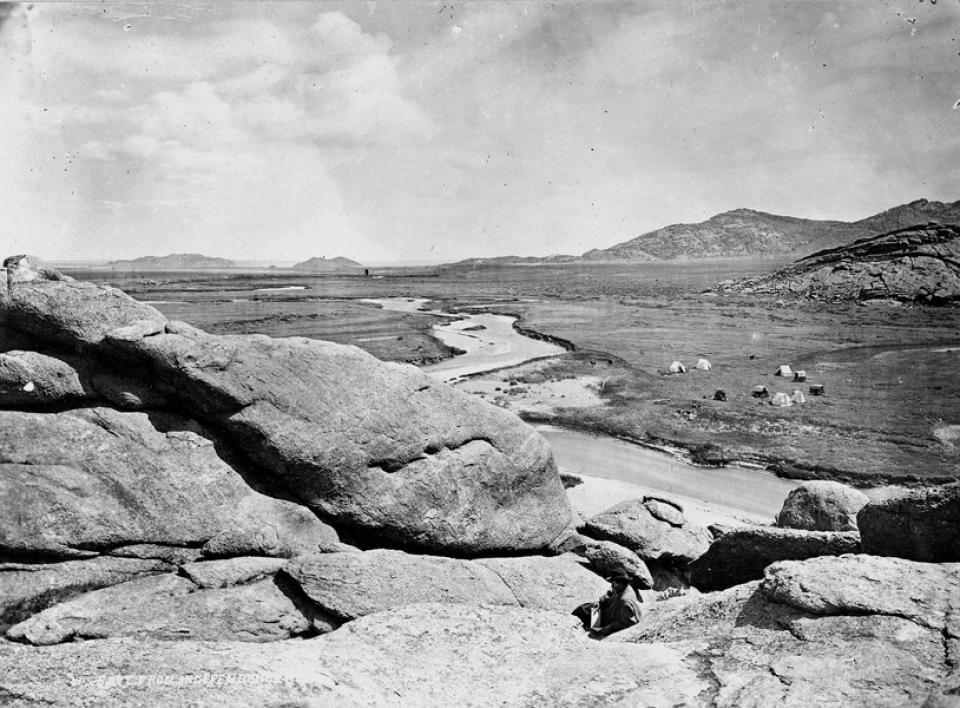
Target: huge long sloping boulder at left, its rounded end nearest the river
{"points": [[380, 449]]}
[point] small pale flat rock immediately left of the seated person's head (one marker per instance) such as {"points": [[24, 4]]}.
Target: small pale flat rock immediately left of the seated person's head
{"points": [[557, 583]]}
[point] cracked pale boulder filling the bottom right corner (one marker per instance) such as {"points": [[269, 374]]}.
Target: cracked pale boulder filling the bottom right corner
{"points": [[849, 630]]}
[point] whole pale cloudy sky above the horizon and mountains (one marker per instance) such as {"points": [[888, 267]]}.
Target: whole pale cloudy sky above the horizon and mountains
{"points": [[435, 131]]}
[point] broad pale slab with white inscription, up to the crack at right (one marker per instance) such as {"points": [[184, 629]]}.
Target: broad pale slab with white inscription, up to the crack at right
{"points": [[421, 655]]}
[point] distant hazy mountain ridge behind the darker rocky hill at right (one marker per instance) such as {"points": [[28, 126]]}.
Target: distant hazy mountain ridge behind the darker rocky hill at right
{"points": [[747, 233]]}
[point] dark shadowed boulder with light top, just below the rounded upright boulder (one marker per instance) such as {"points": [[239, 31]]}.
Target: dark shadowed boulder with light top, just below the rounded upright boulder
{"points": [[741, 555]]}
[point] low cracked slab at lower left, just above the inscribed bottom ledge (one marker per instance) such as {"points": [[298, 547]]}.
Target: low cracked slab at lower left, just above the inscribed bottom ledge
{"points": [[168, 607]]}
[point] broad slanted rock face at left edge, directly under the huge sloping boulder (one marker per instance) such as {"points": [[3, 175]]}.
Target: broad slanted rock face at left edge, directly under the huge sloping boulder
{"points": [[119, 479]]}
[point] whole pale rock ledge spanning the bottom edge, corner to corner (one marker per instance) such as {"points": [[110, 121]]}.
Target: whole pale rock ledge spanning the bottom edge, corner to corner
{"points": [[851, 630]]}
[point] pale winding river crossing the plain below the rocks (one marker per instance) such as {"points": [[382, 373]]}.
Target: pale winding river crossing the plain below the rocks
{"points": [[491, 343]]}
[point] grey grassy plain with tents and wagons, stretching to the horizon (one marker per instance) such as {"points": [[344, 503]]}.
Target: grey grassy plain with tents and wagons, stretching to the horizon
{"points": [[891, 412]]}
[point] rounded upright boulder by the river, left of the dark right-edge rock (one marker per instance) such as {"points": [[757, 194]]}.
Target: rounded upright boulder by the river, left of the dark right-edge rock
{"points": [[822, 506]]}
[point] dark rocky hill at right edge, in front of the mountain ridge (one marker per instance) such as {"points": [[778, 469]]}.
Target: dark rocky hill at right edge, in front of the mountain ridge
{"points": [[917, 264]]}
